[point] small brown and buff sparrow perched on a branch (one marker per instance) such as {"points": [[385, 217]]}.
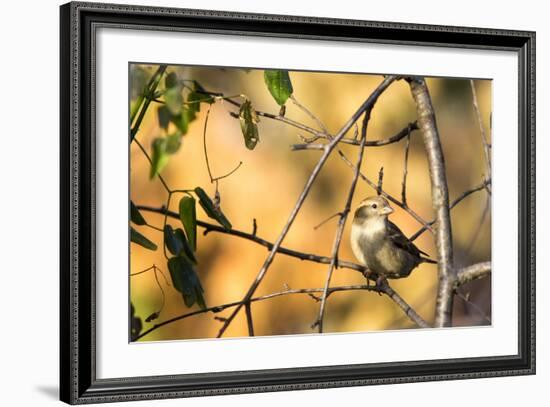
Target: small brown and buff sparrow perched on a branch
{"points": [[379, 244]]}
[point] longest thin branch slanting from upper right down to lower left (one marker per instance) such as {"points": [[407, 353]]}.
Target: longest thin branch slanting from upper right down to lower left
{"points": [[371, 100]]}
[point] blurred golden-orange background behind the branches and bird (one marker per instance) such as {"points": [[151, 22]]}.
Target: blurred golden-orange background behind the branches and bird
{"points": [[267, 186]]}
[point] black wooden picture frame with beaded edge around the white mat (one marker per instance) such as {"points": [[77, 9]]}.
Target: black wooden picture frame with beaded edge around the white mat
{"points": [[78, 382]]}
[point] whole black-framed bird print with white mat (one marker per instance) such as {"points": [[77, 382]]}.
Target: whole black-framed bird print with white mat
{"points": [[257, 203]]}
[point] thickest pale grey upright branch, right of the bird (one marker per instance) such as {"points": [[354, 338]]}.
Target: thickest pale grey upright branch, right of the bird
{"points": [[440, 200]]}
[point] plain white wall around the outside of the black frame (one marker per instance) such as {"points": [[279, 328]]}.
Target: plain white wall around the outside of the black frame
{"points": [[29, 162]]}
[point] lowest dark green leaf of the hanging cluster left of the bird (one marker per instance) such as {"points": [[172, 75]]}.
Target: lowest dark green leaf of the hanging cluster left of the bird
{"points": [[186, 281]]}
